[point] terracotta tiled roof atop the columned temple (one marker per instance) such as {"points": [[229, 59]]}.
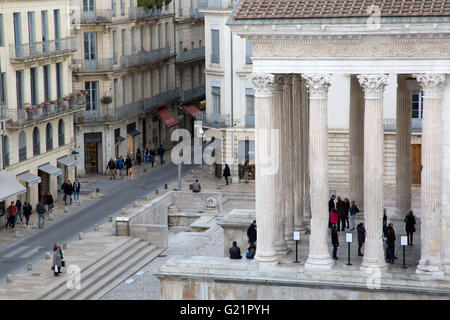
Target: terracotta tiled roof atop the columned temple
{"points": [[303, 9]]}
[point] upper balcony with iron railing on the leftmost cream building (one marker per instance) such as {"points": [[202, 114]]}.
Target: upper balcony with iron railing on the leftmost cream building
{"points": [[41, 50]]}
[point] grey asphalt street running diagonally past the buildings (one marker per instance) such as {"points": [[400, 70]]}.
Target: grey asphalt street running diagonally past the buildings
{"points": [[117, 194]]}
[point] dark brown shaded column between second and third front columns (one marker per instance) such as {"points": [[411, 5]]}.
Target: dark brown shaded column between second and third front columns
{"points": [[356, 142]]}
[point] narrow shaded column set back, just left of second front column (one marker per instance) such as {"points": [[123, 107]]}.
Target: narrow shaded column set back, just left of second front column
{"points": [[297, 140]]}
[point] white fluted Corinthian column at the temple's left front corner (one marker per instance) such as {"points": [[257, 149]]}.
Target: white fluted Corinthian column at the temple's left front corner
{"points": [[267, 163]]}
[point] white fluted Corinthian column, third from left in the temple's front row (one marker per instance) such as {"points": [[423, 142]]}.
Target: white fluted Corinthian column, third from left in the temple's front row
{"points": [[373, 86]]}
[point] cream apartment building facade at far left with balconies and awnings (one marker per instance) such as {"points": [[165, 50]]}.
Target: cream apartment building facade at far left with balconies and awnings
{"points": [[36, 98]]}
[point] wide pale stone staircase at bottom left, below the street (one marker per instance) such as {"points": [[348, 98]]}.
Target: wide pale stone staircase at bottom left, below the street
{"points": [[110, 270]]}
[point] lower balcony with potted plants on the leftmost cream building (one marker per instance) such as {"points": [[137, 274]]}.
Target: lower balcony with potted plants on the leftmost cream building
{"points": [[22, 117]]}
